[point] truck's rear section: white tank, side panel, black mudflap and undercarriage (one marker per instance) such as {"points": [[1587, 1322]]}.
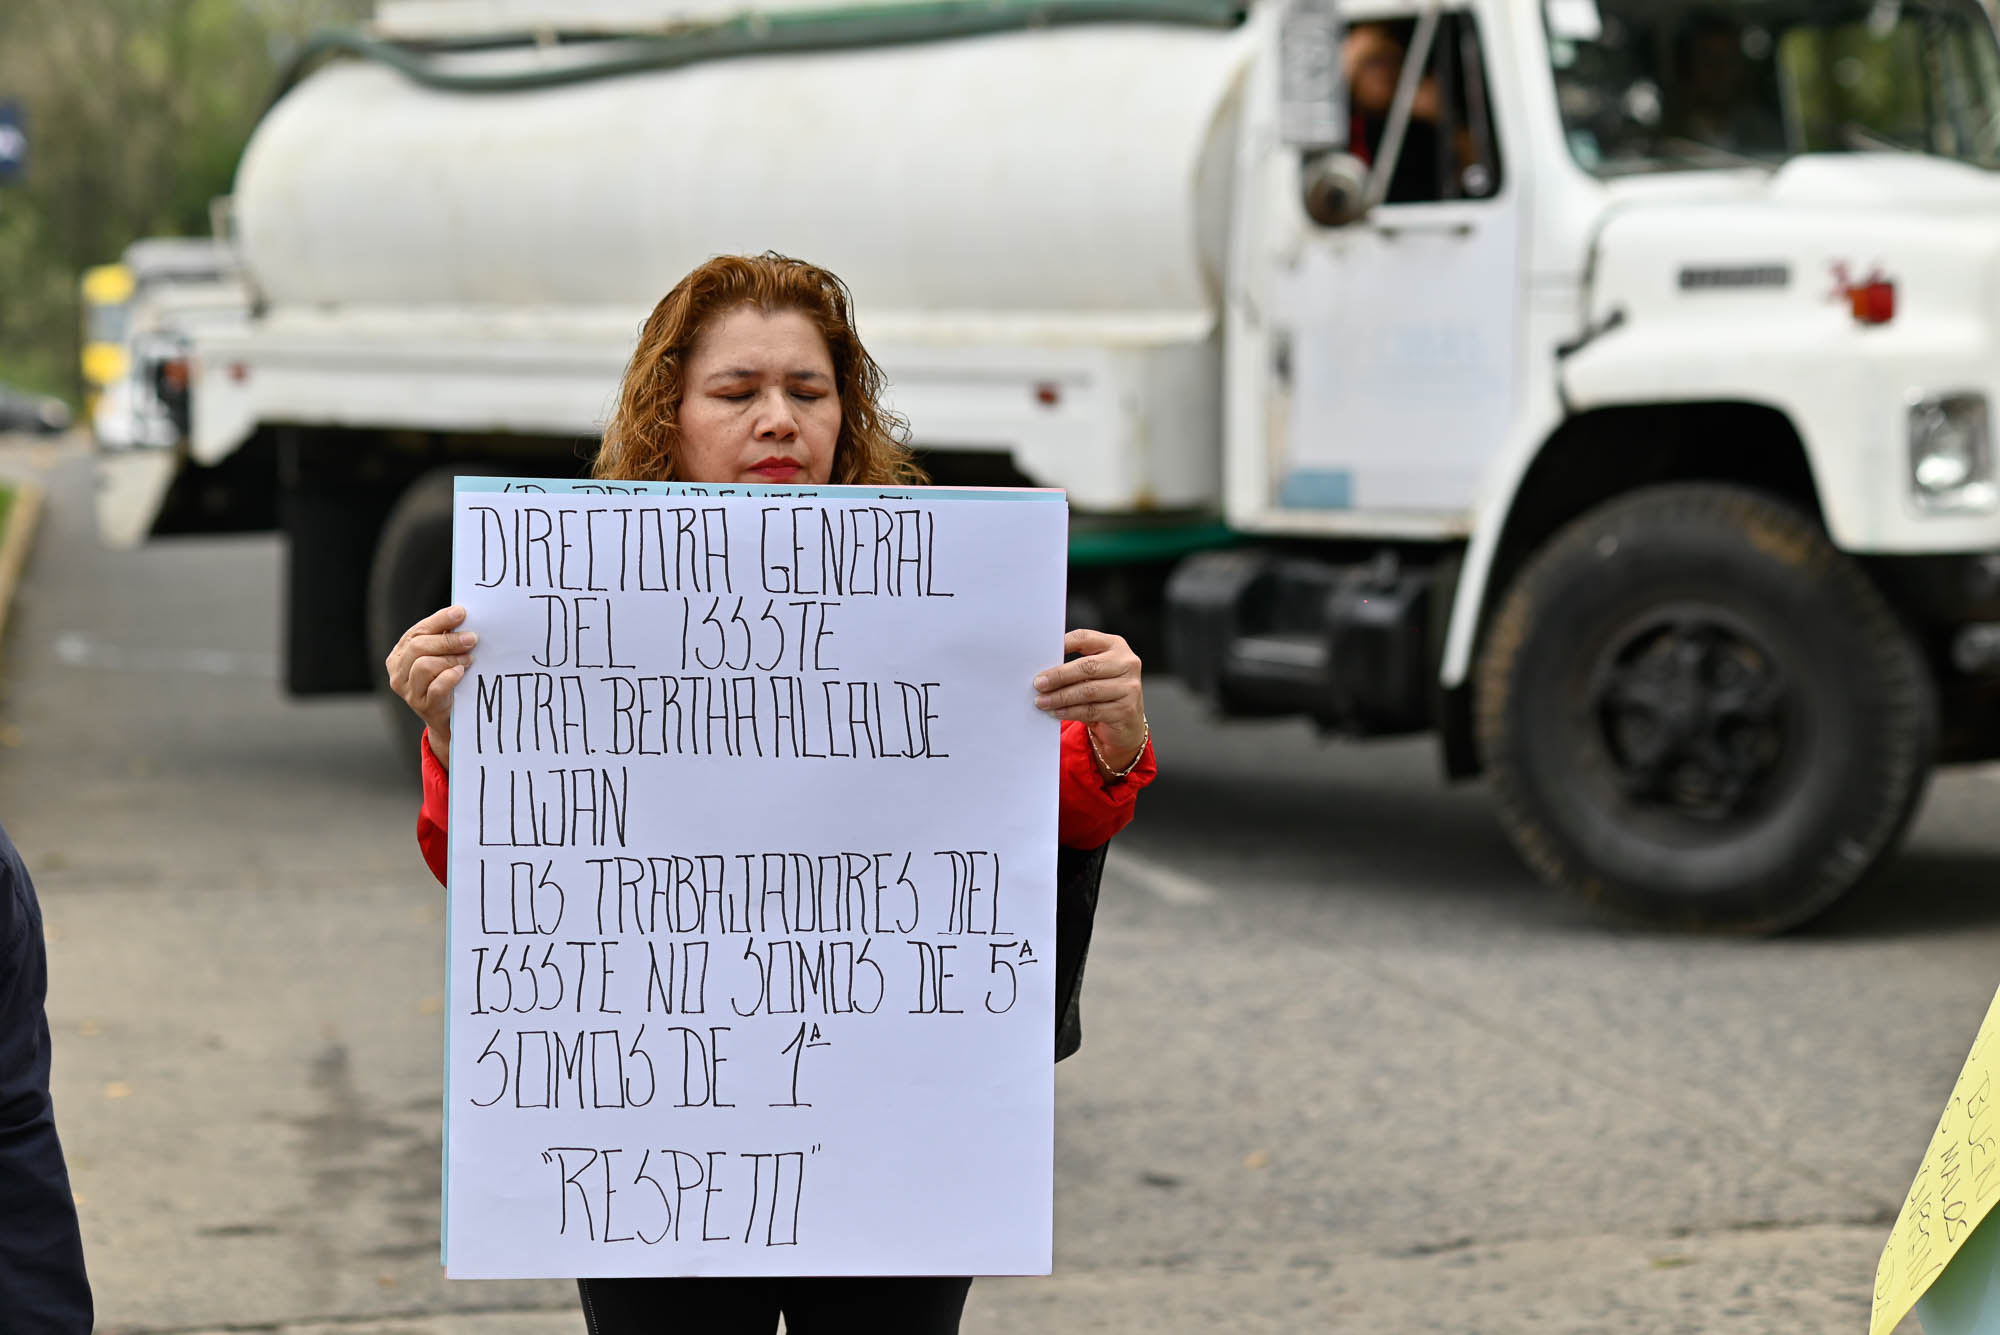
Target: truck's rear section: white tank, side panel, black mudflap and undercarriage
{"points": [[453, 241]]}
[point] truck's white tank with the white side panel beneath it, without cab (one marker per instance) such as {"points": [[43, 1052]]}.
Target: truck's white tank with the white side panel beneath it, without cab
{"points": [[507, 293]]}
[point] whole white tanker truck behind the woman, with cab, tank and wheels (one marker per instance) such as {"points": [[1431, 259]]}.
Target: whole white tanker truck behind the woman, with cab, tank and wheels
{"points": [[1599, 385]]}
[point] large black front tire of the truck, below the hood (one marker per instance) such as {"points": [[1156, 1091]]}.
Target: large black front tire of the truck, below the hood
{"points": [[1703, 716]]}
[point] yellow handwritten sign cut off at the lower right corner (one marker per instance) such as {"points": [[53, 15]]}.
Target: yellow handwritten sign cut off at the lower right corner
{"points": [[1953, 1190]]}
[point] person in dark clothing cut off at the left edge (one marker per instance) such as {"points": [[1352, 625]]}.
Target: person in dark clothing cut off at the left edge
{"points": [[43, 1286]]}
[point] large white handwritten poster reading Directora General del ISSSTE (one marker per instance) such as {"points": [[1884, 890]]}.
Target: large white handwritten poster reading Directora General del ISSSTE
{"points": [[753, 848]]}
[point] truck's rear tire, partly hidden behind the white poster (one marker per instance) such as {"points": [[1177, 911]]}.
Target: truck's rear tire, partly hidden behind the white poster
{"points": [[409, 579]]}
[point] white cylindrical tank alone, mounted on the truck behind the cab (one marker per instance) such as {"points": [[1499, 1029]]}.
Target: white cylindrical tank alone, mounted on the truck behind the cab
{"points": [[1061, 179]]}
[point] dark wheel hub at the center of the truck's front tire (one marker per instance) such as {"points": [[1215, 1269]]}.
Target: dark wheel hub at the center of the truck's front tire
{"points": [[1693, 714]]}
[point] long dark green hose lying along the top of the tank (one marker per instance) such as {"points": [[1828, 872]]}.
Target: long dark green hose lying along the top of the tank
{"points": [[763, 35]]}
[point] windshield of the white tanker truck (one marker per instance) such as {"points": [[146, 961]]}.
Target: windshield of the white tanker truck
{"points": [[1675, 85]]}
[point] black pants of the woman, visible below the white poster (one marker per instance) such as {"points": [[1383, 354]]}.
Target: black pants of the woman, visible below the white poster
{"points": [[859, 1306]]}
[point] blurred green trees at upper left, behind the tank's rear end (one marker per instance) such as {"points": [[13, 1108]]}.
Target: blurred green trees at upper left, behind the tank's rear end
{"points": [[137, 113]]}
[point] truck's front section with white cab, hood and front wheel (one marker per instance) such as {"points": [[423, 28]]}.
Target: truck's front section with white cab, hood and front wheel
{"points": [[1647, 383]]}
